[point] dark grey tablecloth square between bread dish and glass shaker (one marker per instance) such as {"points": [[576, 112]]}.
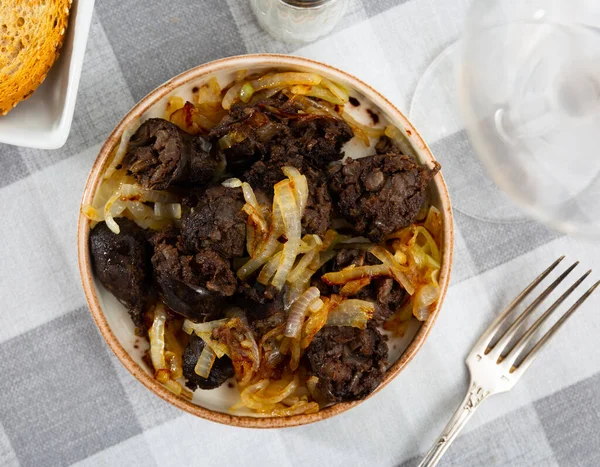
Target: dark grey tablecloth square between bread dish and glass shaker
{"points": [[155, 41]]}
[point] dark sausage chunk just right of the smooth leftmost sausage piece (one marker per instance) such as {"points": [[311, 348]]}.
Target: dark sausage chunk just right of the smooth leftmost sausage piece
{"points": [[194, 286]]}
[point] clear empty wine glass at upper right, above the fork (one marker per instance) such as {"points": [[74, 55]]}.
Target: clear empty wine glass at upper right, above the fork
{"points": [[528, 88]]}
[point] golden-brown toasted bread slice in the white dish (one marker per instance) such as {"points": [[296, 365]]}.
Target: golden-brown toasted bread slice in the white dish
{"points": [[31, 36]]}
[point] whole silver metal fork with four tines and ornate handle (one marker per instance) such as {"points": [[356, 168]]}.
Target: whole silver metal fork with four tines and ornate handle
{"points": [[496, 368]]}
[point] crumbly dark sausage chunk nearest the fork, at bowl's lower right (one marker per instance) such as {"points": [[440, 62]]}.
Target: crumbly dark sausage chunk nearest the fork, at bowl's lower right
{"points": [[349, 362]]}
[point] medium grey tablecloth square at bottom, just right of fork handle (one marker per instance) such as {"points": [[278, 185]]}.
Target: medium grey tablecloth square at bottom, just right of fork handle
{"points": [[511, 440]]}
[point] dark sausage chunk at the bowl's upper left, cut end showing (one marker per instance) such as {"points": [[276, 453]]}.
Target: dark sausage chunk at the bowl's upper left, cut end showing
{"points": [[160, 155]]}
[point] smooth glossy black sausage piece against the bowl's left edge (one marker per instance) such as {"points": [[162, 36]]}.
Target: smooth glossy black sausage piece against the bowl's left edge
{"points": [[122, 263]]}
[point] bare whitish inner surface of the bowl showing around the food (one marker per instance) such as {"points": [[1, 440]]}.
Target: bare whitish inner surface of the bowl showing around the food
{"points": [[221, 399]]}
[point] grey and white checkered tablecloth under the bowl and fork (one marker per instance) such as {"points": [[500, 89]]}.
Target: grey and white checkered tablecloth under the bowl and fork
{"points": [[65, 399]]}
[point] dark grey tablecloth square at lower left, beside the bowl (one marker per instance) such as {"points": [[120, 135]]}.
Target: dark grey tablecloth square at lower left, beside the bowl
{"points": [[63, 363]]}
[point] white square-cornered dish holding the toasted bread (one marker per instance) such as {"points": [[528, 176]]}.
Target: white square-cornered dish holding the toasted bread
{"points": [[44, 120]]}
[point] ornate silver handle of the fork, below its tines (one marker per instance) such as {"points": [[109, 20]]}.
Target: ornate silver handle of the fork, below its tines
{"points": [[465, 410]]}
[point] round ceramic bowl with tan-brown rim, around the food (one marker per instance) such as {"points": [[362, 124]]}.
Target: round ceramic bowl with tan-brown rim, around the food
{"points": [[112, 318]]}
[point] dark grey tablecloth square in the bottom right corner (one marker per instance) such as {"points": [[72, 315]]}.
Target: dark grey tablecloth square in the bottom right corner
{"points": [[571, 421]]}
